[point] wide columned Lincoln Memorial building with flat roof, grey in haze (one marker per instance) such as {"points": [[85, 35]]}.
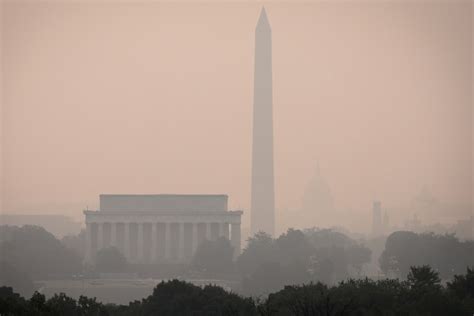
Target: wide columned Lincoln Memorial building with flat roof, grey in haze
{"points": [[163, 228]]}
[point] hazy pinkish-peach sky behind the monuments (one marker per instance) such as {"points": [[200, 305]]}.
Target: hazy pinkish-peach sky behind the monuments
{"points": [[115, 97]]}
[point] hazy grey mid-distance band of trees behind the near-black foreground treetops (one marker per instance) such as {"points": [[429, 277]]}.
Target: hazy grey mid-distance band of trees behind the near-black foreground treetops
{"points": [[266, 264]]}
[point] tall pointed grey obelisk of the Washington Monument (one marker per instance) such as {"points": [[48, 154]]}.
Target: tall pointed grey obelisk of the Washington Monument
{"points": [[263, 200]]}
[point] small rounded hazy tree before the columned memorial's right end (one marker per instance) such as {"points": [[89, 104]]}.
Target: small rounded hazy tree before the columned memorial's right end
{"points": [[214, 256]]}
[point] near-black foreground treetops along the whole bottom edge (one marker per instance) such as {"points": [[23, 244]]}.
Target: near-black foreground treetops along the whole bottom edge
{"points": [[421, 294]]}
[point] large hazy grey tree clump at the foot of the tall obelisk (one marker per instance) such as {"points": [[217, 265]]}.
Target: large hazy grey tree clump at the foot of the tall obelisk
{"points": [[295, 257]]}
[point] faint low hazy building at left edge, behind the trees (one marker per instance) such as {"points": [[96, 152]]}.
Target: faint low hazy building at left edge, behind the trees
{"points": [[58, 225]]}
